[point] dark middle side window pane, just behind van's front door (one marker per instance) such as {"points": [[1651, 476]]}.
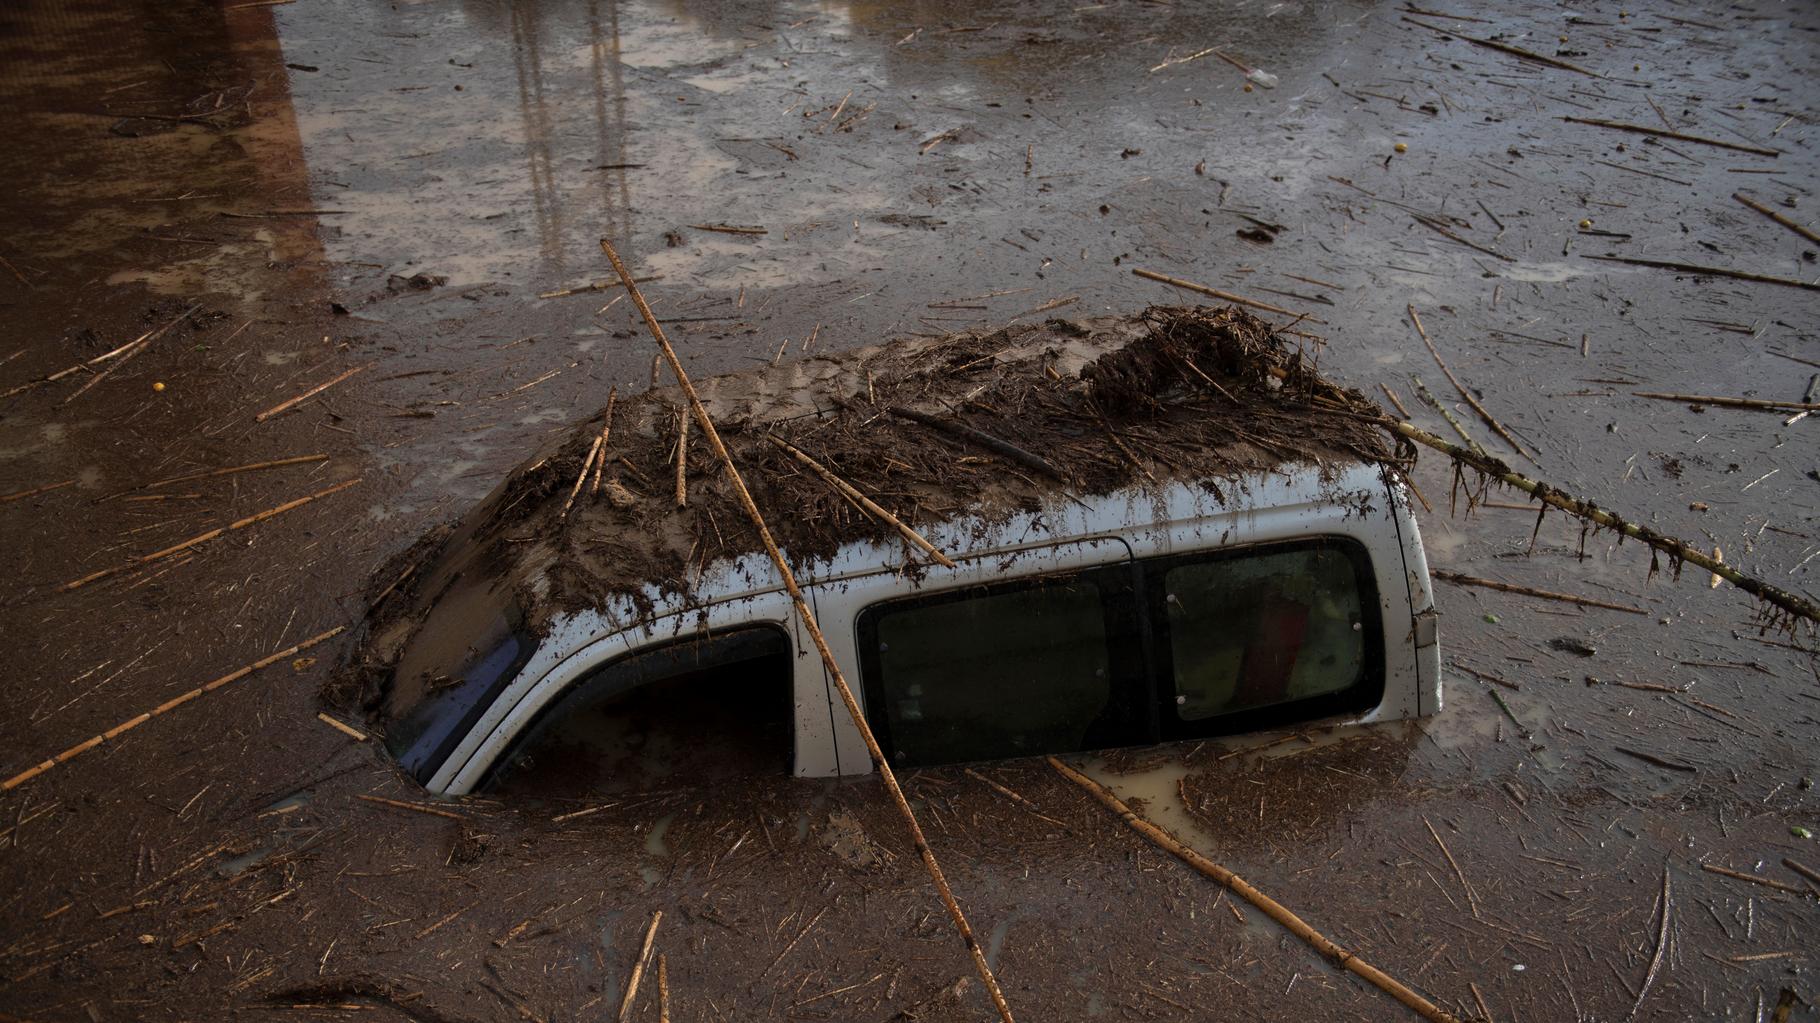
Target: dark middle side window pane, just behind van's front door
{"points": [[1038, 667]]}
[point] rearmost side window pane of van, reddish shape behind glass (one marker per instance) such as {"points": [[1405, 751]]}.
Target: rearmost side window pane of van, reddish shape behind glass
{"points": [[1269, 636]]}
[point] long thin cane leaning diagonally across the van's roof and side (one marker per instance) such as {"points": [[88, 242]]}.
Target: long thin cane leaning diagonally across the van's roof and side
{"points": [[822, 643]]}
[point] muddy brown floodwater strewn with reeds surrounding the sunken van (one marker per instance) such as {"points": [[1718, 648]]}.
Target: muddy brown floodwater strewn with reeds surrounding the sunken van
{"points": [[381, 198]]}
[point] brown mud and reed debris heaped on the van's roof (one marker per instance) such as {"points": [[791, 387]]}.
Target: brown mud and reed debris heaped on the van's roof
{"points": [[978, 425]]}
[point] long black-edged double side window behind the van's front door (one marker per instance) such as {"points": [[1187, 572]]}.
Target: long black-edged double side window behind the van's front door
{"points": [[1126, 654]]}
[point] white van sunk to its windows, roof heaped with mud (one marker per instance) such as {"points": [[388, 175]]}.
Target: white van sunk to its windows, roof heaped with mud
{"points": [[1118, 603]]}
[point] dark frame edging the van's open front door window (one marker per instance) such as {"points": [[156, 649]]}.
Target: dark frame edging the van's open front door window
{"points": [[642, 667]]}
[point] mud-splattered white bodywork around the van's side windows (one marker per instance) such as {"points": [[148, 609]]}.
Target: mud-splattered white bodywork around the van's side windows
{"points": [[1364, 503]]}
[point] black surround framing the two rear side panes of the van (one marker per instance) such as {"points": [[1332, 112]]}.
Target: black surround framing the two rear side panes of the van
{"points": [[1144, 663]]}
